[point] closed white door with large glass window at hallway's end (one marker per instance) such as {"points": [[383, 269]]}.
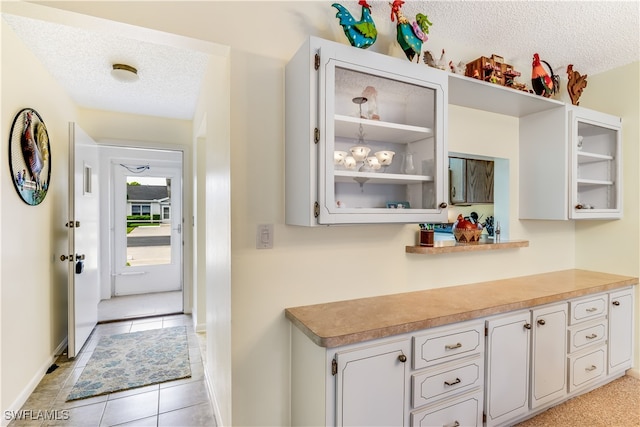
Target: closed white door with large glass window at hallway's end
{"points": [[147, 229]]}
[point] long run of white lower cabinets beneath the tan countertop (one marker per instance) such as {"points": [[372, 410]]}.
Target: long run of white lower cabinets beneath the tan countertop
{"points": [[493, 371]]}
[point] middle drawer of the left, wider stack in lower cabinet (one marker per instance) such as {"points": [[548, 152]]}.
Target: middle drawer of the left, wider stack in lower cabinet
{"points": [[445, 381]]}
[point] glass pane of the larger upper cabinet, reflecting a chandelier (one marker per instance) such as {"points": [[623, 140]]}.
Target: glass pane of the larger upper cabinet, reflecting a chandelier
{"points": [[384, 146]]}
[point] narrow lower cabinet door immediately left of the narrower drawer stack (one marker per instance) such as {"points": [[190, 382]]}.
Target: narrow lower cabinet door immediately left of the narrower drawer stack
{"points": [[549, 354]]}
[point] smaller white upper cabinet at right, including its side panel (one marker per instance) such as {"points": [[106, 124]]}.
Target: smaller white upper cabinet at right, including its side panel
{"points": [[570, 165]]}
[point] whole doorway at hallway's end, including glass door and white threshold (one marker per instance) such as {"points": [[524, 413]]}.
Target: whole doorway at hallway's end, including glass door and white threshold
{"points": [[145, 235]]}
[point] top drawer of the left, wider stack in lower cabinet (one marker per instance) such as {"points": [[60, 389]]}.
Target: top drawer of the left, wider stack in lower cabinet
{"points": [[442, 345]]}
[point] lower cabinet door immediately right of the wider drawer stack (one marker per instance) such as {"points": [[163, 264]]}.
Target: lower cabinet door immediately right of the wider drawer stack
{"points": [[507, 367]]}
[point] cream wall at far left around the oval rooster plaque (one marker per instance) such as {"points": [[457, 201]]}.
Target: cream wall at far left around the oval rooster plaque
{"points": [[34, 288]]}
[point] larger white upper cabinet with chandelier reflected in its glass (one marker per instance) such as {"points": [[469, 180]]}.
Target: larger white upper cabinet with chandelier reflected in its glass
{"points": [[365, 138]]}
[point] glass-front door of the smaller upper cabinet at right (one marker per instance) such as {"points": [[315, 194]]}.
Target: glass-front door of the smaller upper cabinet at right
{"points": [[595, 141]]}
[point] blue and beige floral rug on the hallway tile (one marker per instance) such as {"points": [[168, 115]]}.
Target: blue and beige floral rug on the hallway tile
{"points": [[125, 361]]}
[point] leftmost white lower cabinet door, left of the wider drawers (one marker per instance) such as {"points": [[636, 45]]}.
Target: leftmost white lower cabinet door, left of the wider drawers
{"points": [[372, 386]]}
